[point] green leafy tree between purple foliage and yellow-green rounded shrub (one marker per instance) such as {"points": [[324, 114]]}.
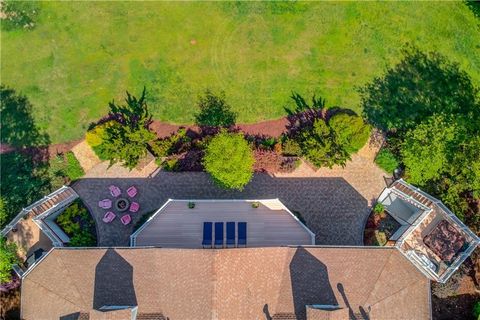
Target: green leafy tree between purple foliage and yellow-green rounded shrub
{"points": [[319, 145]]}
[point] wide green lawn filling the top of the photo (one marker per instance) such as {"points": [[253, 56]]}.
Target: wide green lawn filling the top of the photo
{"points": [[81, 55]]}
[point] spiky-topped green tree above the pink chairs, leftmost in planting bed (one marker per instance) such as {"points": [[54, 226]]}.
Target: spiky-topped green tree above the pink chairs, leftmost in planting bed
{"points": [[127, 138]]}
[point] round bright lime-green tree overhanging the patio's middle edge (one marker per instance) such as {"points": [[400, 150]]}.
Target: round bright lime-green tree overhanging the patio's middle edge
{"points": [[229, 160]]}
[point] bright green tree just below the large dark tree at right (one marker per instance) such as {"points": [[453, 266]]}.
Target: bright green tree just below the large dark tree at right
{"points": [[427, 149]]}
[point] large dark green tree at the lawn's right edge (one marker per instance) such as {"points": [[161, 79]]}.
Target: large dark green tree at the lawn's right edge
{"points": [[420, 85]]}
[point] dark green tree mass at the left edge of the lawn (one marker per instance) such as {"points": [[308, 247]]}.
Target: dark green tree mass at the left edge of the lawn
{"points": [[24, 171]]}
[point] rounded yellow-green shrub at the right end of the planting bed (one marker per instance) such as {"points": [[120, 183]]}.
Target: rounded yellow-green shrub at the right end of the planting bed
{"points": [[351, 132]]}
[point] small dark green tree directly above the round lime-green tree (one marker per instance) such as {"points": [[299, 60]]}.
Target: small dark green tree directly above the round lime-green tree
{"points": [[214, 111]]}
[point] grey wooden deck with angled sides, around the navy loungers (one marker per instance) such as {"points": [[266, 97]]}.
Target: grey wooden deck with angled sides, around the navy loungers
{"points": [[177, 226]]}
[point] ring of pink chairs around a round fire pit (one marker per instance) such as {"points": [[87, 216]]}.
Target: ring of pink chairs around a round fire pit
{"points": [[120, 204]]}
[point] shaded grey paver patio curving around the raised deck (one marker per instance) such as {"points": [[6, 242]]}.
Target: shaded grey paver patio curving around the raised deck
{"points": [[331, 207]]}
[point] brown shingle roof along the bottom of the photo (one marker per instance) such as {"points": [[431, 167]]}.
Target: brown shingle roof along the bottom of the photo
{"points": [[226, 284]]}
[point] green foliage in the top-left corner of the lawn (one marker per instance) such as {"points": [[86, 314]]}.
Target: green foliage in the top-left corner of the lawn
{"points": [[19, 14]]}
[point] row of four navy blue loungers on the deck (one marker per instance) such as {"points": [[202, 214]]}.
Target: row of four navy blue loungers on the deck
{"points": [[230, 238]]}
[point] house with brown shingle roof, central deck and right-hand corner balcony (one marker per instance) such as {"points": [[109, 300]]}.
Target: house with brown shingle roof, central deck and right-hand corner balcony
{"points": [[169, 273]]}
